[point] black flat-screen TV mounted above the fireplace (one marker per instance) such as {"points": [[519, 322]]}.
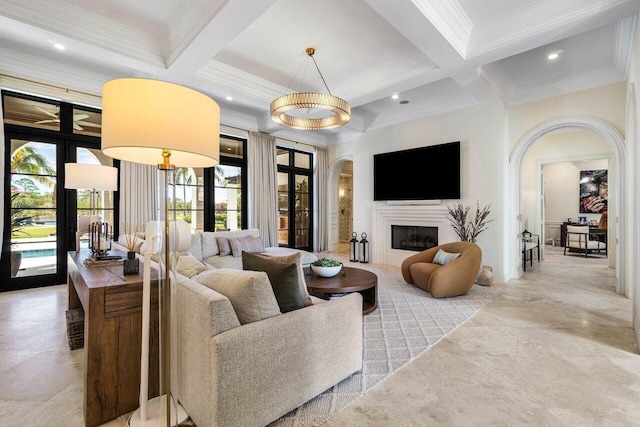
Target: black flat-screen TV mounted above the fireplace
{"points": [[425, 173]]}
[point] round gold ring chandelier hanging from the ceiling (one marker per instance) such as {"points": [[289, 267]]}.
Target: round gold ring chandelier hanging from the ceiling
{"points": [[340, 109]]}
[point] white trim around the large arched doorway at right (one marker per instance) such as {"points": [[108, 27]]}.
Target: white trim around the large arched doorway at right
{"points": [[614, 139]]}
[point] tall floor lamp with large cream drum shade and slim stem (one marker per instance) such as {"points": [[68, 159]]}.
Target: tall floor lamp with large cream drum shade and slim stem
{"points": [[148, 121]]}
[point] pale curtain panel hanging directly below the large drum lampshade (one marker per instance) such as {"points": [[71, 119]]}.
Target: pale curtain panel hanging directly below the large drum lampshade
{"points": [[139, 190]]}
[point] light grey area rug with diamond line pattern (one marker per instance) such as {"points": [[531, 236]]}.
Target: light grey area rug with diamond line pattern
{"points": [[407, 322]]}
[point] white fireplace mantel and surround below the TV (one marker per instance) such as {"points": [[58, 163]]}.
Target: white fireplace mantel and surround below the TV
{"points": [[383, 217]]}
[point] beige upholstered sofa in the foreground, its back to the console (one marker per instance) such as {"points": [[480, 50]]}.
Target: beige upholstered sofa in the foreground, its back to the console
{"points": [[233, 374]]}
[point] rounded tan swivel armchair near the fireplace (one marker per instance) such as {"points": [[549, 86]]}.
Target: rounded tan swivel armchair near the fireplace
{"points": [[454, 278]]}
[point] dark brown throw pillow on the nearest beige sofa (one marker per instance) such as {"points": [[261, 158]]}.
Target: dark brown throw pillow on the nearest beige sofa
{"points": [[283, 277]]}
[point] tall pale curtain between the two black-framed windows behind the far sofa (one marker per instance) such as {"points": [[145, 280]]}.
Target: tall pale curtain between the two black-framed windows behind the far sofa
{"points": [[263, 189]]}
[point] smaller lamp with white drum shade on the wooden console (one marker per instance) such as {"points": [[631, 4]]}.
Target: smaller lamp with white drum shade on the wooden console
{"points": [[82, 176]]}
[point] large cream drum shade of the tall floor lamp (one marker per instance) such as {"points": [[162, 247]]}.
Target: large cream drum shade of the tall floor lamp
{"points": [[141, 118]]}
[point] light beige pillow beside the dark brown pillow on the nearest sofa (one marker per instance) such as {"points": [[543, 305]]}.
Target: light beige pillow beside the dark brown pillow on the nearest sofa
{"points": [[250, 292]]}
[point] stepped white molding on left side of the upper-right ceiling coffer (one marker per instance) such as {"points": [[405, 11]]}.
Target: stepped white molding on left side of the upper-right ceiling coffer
{"points": [[450, 20]]}
